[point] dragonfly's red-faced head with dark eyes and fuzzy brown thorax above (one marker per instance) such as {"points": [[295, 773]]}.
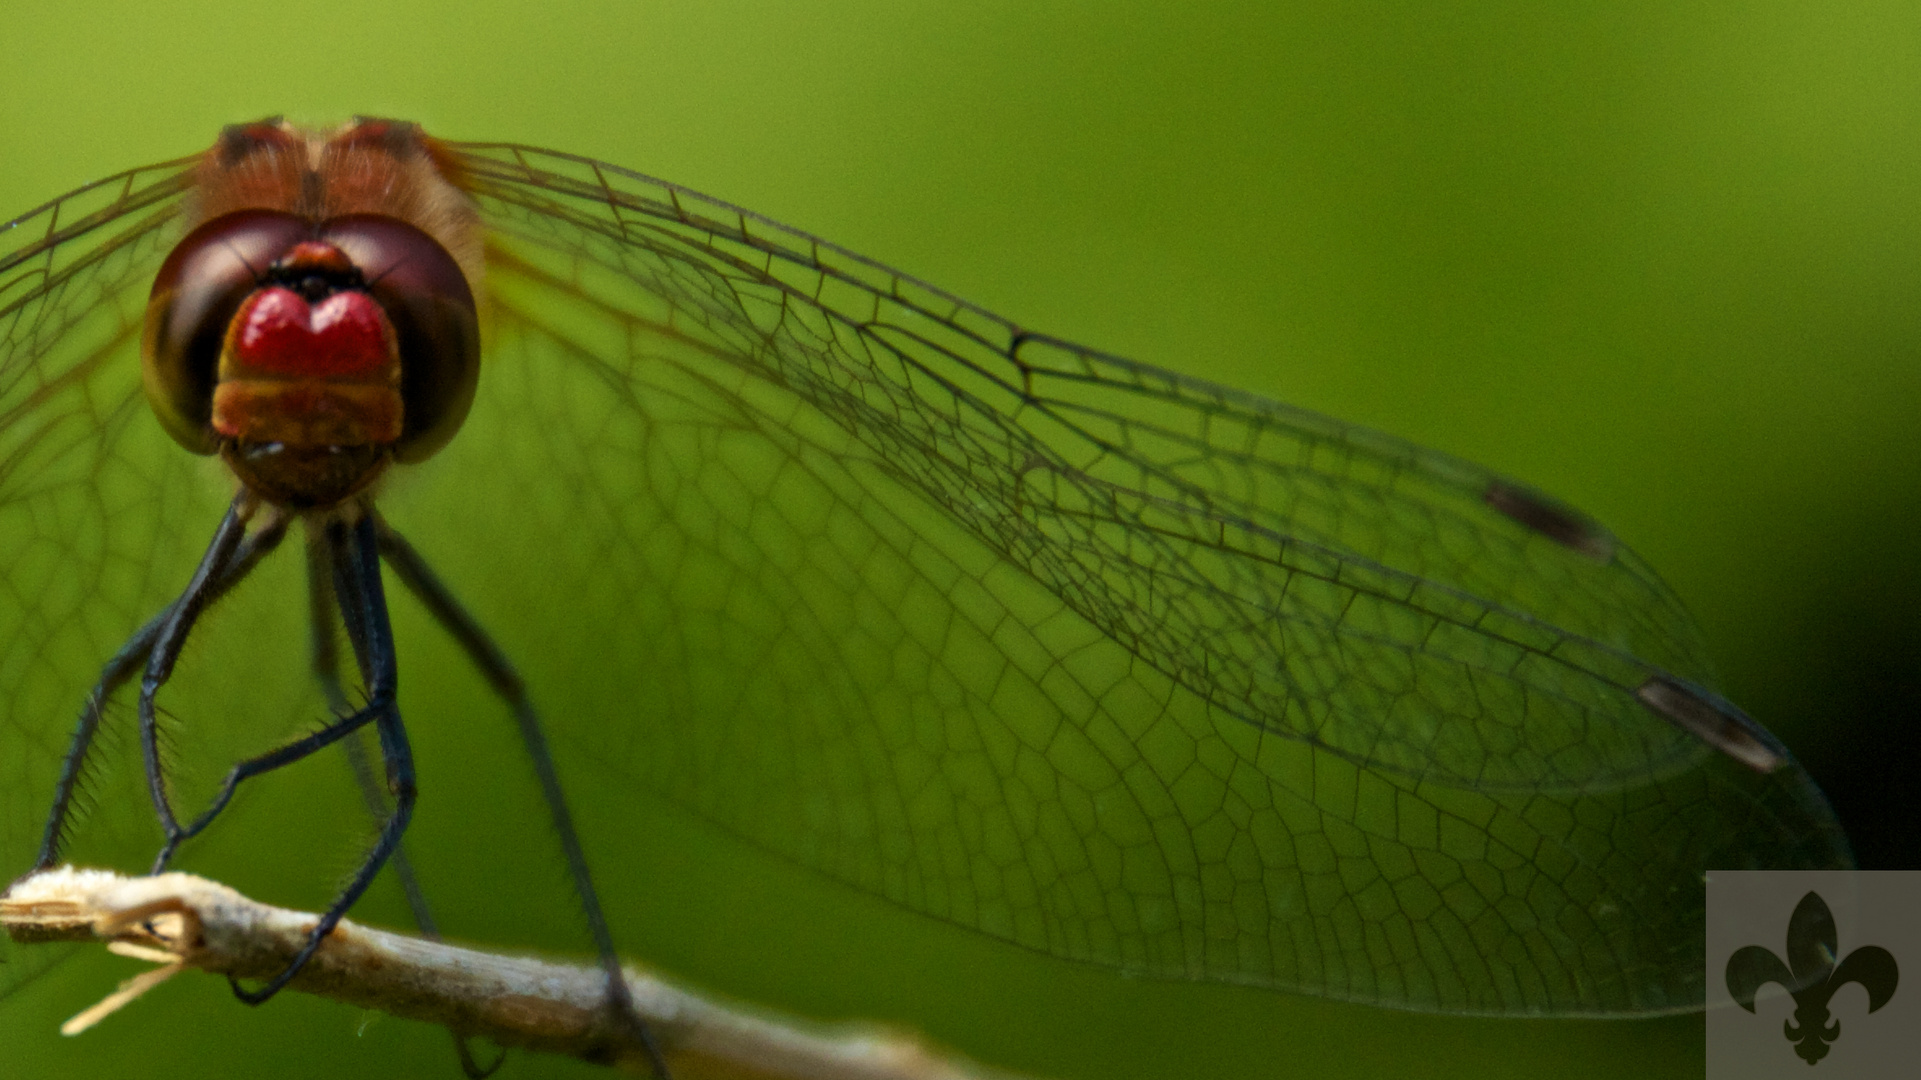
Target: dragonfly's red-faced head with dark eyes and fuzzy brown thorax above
{"points": [[316, 324]]}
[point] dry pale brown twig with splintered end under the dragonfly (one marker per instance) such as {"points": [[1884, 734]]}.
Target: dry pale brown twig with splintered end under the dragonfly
{"points": [[182, 921]]}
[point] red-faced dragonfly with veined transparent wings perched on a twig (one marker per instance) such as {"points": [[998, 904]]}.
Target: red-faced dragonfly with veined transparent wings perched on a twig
{"points": [[1096, 658]]}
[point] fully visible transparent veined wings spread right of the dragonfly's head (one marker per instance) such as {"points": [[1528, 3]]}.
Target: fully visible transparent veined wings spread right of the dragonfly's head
{"points": [[1096, 658]]}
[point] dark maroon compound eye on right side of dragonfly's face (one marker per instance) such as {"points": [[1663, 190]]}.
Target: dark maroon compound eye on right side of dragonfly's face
{"points": [[433, 312]]}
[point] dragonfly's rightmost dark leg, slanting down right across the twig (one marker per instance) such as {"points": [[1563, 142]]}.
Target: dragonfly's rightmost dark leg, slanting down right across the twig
{"points": [[498, 672]]}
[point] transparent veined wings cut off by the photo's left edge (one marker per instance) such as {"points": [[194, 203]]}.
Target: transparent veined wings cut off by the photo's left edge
{"points": [[87, 531]]}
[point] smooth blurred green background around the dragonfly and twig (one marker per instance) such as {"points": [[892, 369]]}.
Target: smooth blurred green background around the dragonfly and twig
{"points": [[1661, 262]]}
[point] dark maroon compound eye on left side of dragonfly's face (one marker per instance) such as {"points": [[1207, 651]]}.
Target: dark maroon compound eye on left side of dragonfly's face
{"points": [[195, 297]]}
